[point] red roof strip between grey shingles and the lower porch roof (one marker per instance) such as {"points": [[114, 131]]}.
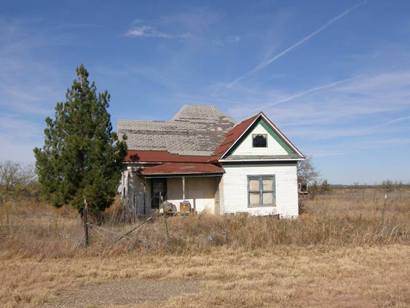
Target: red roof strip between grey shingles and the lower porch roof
{"points": [[164, 156]]}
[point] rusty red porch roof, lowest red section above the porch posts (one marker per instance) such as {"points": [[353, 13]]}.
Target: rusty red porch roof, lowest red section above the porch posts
{"points": [[182, 168]]}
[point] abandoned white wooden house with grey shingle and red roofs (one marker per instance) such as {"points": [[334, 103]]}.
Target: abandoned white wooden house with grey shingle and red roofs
{"points": [[203, 157]]}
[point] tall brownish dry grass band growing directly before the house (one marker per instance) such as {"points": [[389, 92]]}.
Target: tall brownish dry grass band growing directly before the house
{"points": [[341, 218]]}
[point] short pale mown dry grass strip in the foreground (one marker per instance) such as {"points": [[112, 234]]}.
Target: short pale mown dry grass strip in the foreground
{"points": [[284, 276]]}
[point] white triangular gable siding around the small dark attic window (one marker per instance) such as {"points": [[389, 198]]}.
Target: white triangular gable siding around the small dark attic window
{"points": [[273, 147]]}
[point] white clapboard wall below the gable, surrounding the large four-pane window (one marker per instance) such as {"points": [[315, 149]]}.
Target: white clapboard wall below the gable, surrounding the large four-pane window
{"points": [[235, 189]]}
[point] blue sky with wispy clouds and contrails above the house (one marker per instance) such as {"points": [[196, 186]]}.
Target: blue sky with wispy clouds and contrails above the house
{"points": [[333, 75]]}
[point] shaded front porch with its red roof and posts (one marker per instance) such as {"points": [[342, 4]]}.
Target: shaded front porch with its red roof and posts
{"points": [[175, 183]]}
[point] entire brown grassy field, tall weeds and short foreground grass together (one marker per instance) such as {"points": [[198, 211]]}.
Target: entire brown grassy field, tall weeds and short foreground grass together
{"points": [[350, 248]]}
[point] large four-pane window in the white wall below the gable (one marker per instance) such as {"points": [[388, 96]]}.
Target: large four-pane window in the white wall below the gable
{"points": [[261, 190]]}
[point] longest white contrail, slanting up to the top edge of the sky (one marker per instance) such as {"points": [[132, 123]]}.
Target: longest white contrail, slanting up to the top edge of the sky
{"points": [[297, 44]]}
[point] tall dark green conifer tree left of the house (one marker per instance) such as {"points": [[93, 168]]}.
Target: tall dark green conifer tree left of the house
{"points": [[82, 158]]}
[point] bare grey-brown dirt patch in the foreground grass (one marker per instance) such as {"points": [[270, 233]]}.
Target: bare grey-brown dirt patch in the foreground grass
{"points": [[125, 292]]}
